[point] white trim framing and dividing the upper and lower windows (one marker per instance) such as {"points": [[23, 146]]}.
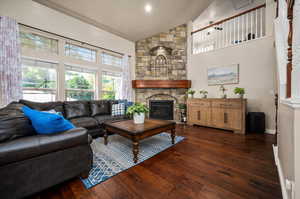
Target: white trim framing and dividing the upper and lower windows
{"points": [[61, 59]]}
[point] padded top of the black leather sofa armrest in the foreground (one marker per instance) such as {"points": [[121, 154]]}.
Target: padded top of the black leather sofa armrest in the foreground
{"points": [[32, 146]]}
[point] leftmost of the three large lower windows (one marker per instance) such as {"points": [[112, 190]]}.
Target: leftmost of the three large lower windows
{"points": [[39, 80]]}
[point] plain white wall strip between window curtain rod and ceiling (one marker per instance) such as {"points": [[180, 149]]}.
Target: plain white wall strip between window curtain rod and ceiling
{"points": [[36, 15]]}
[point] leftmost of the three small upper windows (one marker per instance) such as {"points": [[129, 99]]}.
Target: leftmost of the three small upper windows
{"points": [[38, 42]]}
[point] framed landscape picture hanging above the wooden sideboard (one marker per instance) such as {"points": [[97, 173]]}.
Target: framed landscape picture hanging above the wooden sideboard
{"points": [[223, 75]]}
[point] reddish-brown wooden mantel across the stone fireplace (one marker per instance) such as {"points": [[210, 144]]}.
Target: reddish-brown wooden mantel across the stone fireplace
{"points": [[161, 84]]}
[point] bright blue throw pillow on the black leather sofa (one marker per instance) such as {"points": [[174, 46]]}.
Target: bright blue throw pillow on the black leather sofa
{"points": [[47, 123]]}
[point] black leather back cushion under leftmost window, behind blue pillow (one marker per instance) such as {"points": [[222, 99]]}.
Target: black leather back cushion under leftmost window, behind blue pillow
{"points": [[46, 106]]}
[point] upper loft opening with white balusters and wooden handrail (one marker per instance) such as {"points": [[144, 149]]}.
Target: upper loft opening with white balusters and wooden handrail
{"points": [[228, 23]]}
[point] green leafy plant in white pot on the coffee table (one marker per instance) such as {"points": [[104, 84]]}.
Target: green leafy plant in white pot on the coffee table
{"points": [[138, 111]]}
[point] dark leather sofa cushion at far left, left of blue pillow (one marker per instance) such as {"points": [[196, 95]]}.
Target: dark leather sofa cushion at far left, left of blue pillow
{"points": [[13, 123]]}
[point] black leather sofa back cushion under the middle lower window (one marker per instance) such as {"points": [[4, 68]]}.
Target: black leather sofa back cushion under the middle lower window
{"points": [[77, 109]]}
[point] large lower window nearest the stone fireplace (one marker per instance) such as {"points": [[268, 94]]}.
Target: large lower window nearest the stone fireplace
{"points": [[111, 85]]}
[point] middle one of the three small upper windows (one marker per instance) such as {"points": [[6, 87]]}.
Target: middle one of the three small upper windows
{"points": [[78, 52]]}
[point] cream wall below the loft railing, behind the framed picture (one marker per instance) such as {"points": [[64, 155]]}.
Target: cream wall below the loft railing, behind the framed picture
{"points": [[257, 65]]}
